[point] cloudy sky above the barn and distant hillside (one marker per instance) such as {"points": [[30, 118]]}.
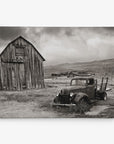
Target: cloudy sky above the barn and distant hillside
{"points": [[65, 44]]}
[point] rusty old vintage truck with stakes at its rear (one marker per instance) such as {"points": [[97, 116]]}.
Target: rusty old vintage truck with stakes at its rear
{"points": [[81, 92]]}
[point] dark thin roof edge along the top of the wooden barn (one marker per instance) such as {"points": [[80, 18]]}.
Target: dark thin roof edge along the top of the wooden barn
{"points": [[27, 42]]}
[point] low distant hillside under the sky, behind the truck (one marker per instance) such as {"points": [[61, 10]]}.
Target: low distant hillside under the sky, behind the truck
{"points": [[103, 67]]}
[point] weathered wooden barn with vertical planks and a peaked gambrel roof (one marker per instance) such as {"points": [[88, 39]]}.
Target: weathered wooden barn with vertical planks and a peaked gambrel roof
{"points": [[21, 66]]}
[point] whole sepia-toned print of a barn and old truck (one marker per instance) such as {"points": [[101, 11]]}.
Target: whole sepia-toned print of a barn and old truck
{"points": [[56, 72]]}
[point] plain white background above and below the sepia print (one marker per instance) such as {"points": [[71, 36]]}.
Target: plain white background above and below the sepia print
{"points": [[56, 13]]}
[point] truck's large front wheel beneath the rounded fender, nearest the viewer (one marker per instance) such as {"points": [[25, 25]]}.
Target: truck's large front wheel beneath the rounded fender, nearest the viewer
{"points": [[83, 105]]}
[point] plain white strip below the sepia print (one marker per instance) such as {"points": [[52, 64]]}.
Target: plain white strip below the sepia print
{"points": [[56, 131]]}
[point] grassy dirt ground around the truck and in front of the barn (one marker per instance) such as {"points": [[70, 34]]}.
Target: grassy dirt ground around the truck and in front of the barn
{"points": [[37, 103]]}
